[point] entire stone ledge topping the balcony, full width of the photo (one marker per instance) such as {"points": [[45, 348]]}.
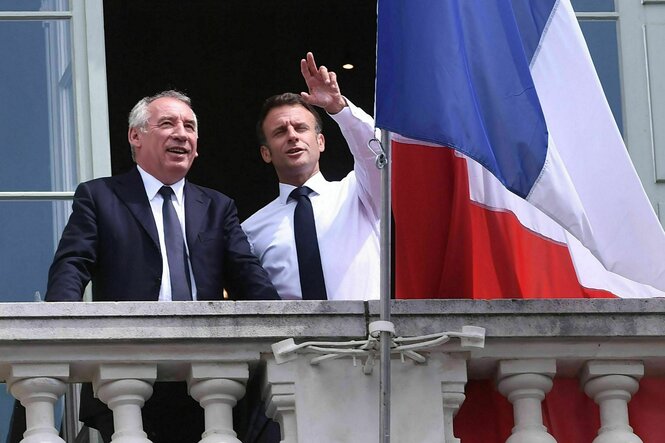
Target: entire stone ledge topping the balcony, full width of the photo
{"points": [[273, 321]]}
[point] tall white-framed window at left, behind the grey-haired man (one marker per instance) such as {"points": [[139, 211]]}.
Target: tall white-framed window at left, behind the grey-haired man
{"points": [[55, 133]]}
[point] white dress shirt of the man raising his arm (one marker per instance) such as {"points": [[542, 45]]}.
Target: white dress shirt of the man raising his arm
{"points": [[346, 214]]}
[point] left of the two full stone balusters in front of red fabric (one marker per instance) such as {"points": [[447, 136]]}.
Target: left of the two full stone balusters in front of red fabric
{"points": [[525, 383]]}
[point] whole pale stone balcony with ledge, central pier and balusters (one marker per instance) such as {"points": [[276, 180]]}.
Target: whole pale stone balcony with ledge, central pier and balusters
{"points": [[609, 346]]}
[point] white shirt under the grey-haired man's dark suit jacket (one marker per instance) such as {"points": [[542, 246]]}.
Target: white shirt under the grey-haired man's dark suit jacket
{"points": [[152, 187]]}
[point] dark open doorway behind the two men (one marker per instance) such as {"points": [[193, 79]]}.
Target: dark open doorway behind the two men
{"points": [[228, 56]]}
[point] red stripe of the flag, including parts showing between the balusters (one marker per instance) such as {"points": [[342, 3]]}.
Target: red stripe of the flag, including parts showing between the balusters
{"points": [[446, 246]]}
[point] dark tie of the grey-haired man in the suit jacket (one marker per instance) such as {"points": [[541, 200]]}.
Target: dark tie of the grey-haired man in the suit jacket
{"points": [[175, 249]]}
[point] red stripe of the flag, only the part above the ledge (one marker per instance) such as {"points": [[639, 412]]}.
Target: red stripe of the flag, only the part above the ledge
{"points": [[447, 246]]}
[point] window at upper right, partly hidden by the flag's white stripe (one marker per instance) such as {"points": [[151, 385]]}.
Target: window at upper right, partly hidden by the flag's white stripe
{"points": [[624, 39]]}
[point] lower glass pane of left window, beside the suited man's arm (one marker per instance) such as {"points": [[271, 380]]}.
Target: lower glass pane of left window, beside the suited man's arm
{"points": [[29, 236]]}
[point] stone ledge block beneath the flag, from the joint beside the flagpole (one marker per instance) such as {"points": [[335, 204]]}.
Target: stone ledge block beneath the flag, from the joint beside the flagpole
{"points": [[555, 318]]}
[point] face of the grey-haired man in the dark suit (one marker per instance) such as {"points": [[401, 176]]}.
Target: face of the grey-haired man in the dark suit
{"points": [[166, 147]]}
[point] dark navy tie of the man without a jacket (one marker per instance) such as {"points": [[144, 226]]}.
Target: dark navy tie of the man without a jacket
{"points": [[307, 247]]}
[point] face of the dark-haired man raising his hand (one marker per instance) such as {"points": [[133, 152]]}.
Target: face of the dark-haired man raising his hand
{"points": [[292, 144]]}
